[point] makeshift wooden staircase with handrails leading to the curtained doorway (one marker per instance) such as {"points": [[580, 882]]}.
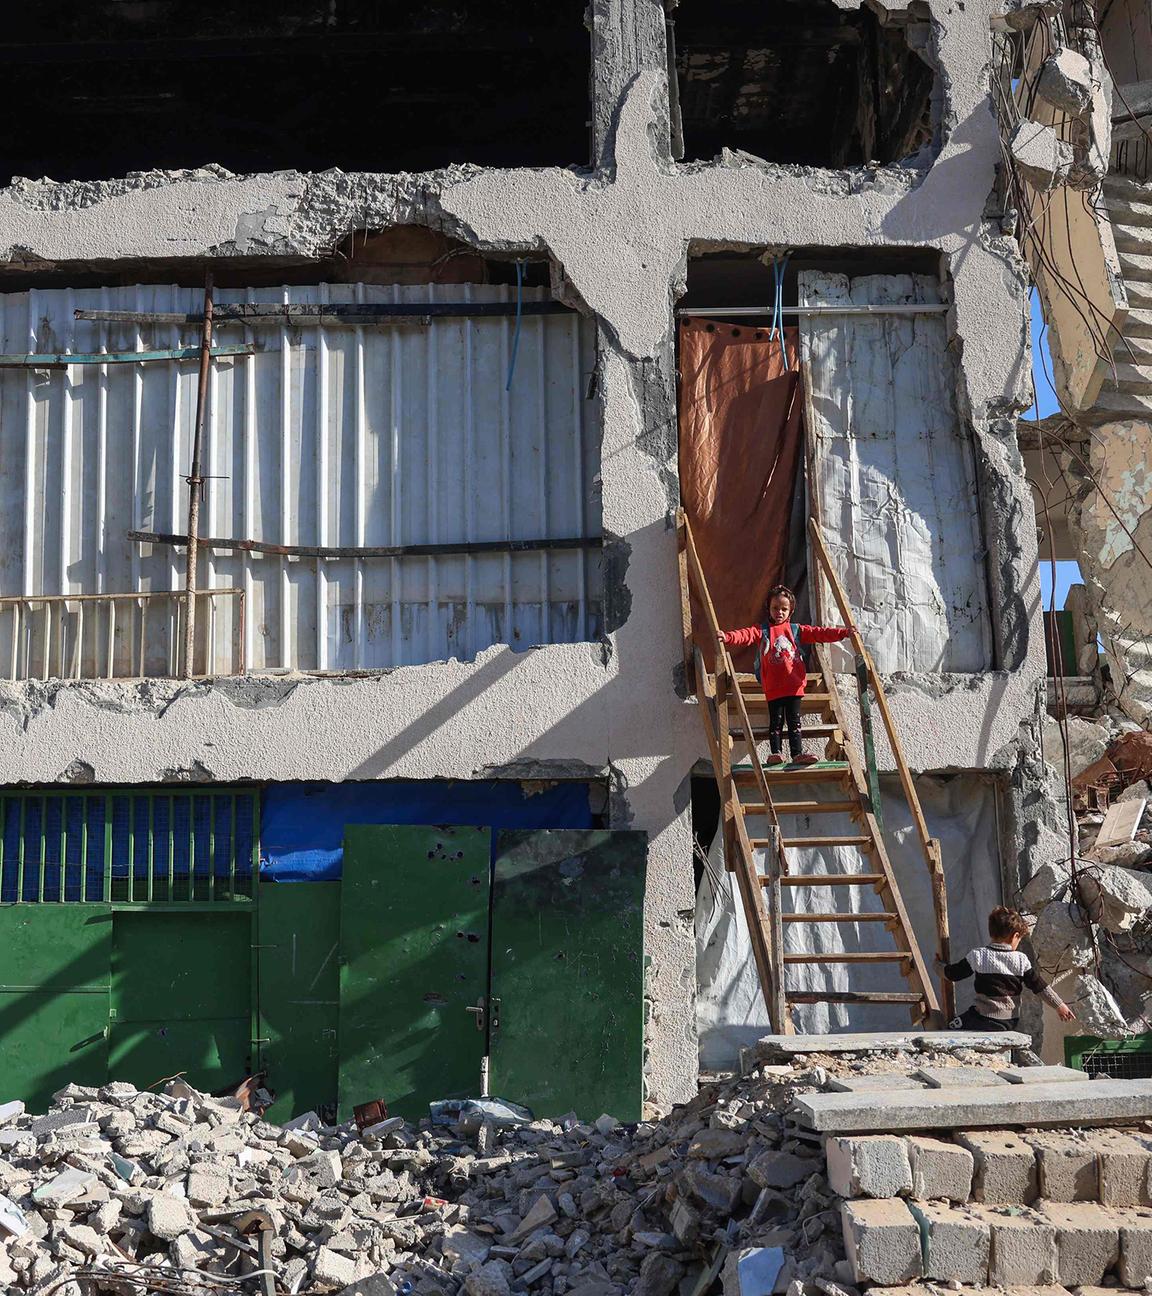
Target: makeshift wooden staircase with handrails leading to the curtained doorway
{"points": [[846, 783]]}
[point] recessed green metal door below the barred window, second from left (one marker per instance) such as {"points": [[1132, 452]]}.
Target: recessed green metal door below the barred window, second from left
{"points": [[182, 996]]}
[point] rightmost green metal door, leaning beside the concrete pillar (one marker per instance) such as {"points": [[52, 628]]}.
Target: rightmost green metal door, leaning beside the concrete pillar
{"points": [[568, 973]]}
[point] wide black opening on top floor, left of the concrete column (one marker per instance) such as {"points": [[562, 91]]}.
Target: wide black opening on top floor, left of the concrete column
{"points": [[107, 87]]}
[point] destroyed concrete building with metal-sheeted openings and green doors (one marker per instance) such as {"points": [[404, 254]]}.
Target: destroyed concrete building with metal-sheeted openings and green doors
{"points": [[382, 769]]}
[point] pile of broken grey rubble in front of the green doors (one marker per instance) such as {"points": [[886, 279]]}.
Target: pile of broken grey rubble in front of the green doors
{"points": [[137, 1192]]}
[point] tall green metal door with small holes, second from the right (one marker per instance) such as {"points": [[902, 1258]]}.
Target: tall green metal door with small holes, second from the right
{"points": [[414, 935]]}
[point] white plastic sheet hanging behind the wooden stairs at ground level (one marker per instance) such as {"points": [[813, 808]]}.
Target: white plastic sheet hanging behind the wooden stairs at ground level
{"points": [[732, 1012]]}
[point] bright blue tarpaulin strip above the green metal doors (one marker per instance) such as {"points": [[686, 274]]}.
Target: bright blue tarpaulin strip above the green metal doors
{"points": [[303, 824]]}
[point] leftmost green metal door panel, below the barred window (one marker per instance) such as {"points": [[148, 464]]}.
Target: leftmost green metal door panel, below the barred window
{"points": [[55, 964]]}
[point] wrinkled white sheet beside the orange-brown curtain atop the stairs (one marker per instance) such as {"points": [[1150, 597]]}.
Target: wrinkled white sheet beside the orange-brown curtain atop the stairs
{"points": [[895, 475]]}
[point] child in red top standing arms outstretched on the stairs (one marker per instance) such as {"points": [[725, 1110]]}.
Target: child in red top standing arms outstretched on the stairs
{"points": [[781, 669]]}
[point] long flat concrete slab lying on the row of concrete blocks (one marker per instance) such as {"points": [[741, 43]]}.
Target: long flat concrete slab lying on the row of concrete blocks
{"points": [[1102, 1102]]}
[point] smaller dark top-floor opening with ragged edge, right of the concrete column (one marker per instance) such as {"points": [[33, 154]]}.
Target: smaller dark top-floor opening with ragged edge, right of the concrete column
{"points": [[801, 82]]}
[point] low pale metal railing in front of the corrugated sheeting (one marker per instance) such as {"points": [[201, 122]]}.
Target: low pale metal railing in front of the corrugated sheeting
{"points": [[116, 636]]}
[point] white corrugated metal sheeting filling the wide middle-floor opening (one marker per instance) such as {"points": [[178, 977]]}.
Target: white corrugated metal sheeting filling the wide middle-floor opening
{"points": [[332, 437]]}
